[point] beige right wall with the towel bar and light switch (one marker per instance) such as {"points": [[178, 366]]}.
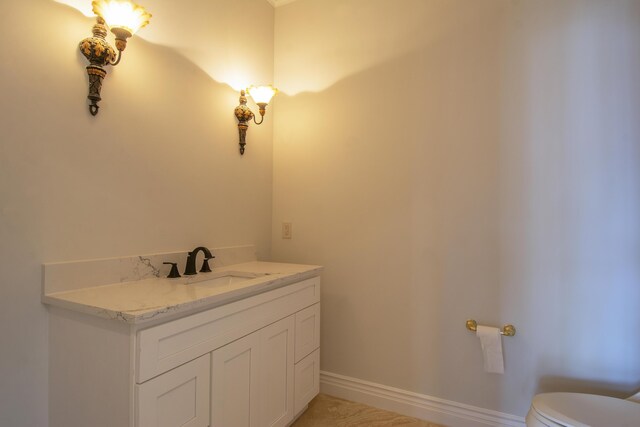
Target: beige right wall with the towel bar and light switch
{"points": [[459, 159]]}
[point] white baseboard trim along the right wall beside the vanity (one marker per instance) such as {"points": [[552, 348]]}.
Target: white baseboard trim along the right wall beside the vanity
{"points": [[416, 405]]}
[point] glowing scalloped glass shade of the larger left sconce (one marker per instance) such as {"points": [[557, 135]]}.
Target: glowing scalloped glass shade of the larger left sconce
{"points": [[121, 15]]}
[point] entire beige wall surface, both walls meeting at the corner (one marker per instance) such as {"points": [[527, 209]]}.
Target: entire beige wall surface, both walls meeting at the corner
{"points": [[443, 160]]}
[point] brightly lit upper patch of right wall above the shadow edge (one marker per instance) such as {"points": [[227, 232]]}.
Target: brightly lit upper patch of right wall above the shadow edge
{"points": [[335, 40]]}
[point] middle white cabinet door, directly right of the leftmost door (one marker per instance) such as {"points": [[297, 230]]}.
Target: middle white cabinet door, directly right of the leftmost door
{"points": [[234, 383]]}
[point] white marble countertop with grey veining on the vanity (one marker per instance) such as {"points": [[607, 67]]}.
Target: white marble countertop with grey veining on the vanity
{"points": [[143, 300]]}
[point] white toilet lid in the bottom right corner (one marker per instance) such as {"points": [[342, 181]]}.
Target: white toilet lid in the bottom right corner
{"points": [[584, 410]]}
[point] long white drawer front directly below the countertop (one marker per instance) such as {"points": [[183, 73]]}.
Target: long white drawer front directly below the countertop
{"points": [[163, 347]]}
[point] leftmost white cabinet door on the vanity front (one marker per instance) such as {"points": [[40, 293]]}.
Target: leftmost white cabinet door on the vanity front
{"points": [[178, 398]]}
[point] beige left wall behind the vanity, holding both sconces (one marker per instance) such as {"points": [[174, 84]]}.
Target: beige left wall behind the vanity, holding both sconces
{"points": [[157, 170]]}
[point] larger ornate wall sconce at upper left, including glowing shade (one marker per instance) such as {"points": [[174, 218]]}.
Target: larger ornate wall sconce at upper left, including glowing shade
{"points": [[124, 19]]}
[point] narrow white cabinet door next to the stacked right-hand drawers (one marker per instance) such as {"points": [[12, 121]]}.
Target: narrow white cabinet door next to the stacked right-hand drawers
{"points": [[277, 373]]}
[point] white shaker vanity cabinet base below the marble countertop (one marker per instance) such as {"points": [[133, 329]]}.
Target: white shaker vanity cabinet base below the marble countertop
{"points": [[253, 362]]}
